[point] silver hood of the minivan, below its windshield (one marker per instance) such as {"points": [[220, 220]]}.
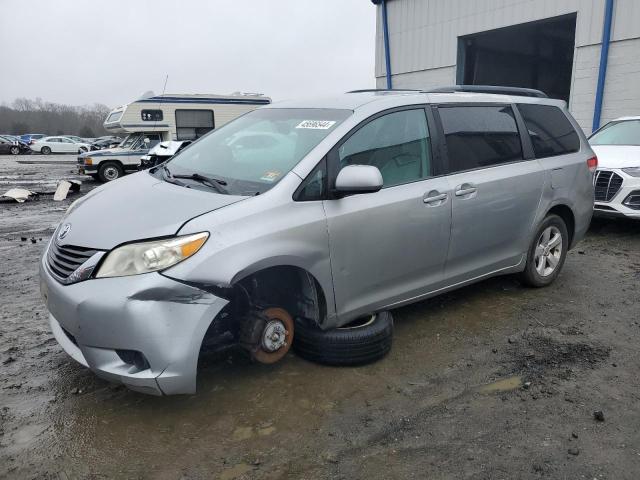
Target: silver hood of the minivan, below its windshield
{"points": [[137, 207]]}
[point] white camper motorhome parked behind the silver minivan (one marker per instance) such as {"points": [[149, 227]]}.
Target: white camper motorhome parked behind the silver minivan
{"points": [[155, 119]]}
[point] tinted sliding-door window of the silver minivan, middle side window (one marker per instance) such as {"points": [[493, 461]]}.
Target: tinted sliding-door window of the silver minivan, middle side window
{"points": [[480, 136]]}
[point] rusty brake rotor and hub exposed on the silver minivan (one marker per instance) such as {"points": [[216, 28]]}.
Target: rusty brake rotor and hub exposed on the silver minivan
{"points": [[276, 337]]}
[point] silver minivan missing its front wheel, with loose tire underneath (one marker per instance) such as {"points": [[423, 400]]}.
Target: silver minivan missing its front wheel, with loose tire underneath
{"points": [[386, 199]]}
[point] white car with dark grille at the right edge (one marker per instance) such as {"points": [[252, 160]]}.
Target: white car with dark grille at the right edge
{"points": [[617, 183]]}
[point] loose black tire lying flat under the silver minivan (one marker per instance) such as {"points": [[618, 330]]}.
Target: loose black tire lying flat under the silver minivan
{"points": [[361, 342]]}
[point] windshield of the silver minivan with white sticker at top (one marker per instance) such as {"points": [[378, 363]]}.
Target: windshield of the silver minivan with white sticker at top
{"points": [[254, 152]]}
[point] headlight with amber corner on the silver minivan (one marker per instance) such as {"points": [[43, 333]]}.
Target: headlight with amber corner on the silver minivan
{"points": [[145, 257]]}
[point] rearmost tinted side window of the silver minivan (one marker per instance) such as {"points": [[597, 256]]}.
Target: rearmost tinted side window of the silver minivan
{"points": [[550, 130]]}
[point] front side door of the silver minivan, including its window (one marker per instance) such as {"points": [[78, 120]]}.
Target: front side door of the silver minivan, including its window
{"points": [[390, 246]]}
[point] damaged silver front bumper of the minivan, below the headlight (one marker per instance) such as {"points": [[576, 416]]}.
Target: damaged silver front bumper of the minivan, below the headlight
{"points": [[163, 319]]}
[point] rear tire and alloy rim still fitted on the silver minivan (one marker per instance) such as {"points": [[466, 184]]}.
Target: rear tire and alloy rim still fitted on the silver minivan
{"points": [[531, 275]]}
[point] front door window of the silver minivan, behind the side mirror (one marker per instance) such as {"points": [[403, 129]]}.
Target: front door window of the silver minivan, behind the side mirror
{"points": [[397, 143]]}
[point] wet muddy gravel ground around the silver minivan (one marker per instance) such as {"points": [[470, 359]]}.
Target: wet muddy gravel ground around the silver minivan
{"points": [[494, 381]]}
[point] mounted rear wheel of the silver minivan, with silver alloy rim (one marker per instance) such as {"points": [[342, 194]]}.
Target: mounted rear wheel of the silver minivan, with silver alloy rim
{"points": [[547, 252]]}
